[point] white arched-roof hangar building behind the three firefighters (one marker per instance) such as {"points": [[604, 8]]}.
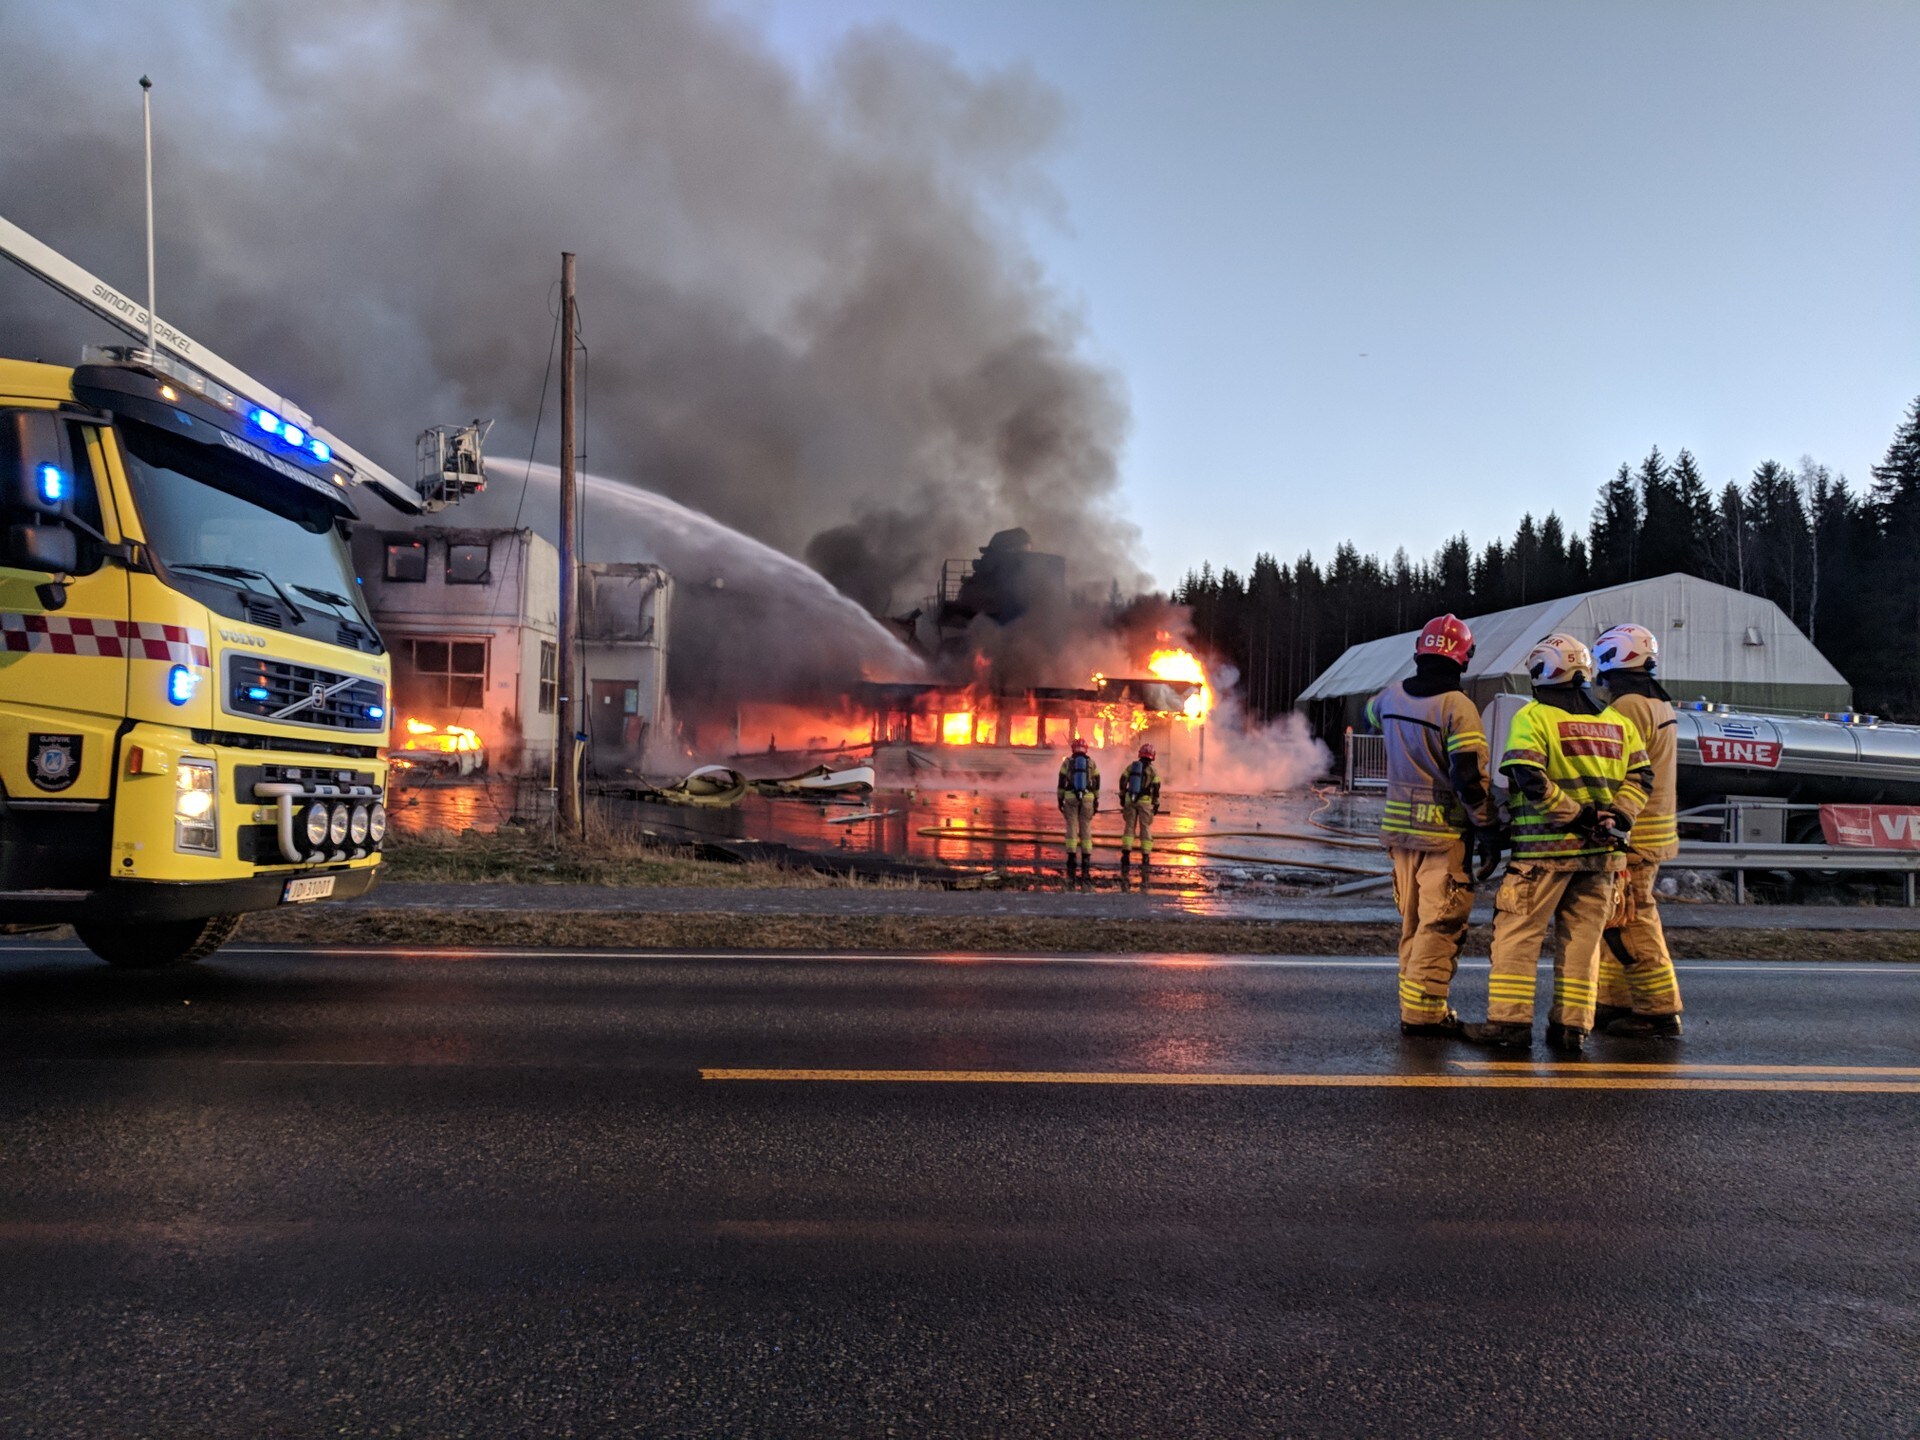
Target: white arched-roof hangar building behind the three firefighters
{"points": [[1717, 644]]}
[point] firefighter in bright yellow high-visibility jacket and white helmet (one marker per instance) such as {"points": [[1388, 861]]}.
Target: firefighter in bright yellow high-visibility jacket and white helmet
{"points": [[1579, 777]]}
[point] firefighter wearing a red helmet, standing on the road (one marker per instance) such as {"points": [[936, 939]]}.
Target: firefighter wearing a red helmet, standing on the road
{"points": [[1439, 817]]}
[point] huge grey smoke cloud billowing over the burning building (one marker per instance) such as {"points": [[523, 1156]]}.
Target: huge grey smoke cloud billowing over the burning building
{"points": [[807, 302]]}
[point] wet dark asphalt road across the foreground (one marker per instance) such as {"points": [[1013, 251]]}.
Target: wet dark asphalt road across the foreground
{"points": [[527, 1195]]}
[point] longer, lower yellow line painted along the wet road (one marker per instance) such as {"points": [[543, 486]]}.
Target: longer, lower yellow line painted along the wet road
{"points": [[1312, 1082]]}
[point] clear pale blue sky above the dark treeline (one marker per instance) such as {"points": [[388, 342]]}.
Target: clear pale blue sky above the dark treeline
{"points": [[1387, 272]]}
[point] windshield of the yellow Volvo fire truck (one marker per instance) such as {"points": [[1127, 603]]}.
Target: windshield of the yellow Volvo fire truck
{"points": [[224, 525]]}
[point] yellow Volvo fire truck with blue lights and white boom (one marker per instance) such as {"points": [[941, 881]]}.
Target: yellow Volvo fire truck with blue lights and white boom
{"points": [[193, 694]]}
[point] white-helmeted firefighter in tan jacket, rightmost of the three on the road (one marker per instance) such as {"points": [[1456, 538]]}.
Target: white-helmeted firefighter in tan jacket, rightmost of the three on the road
{"points": [[1639, 988]]}
